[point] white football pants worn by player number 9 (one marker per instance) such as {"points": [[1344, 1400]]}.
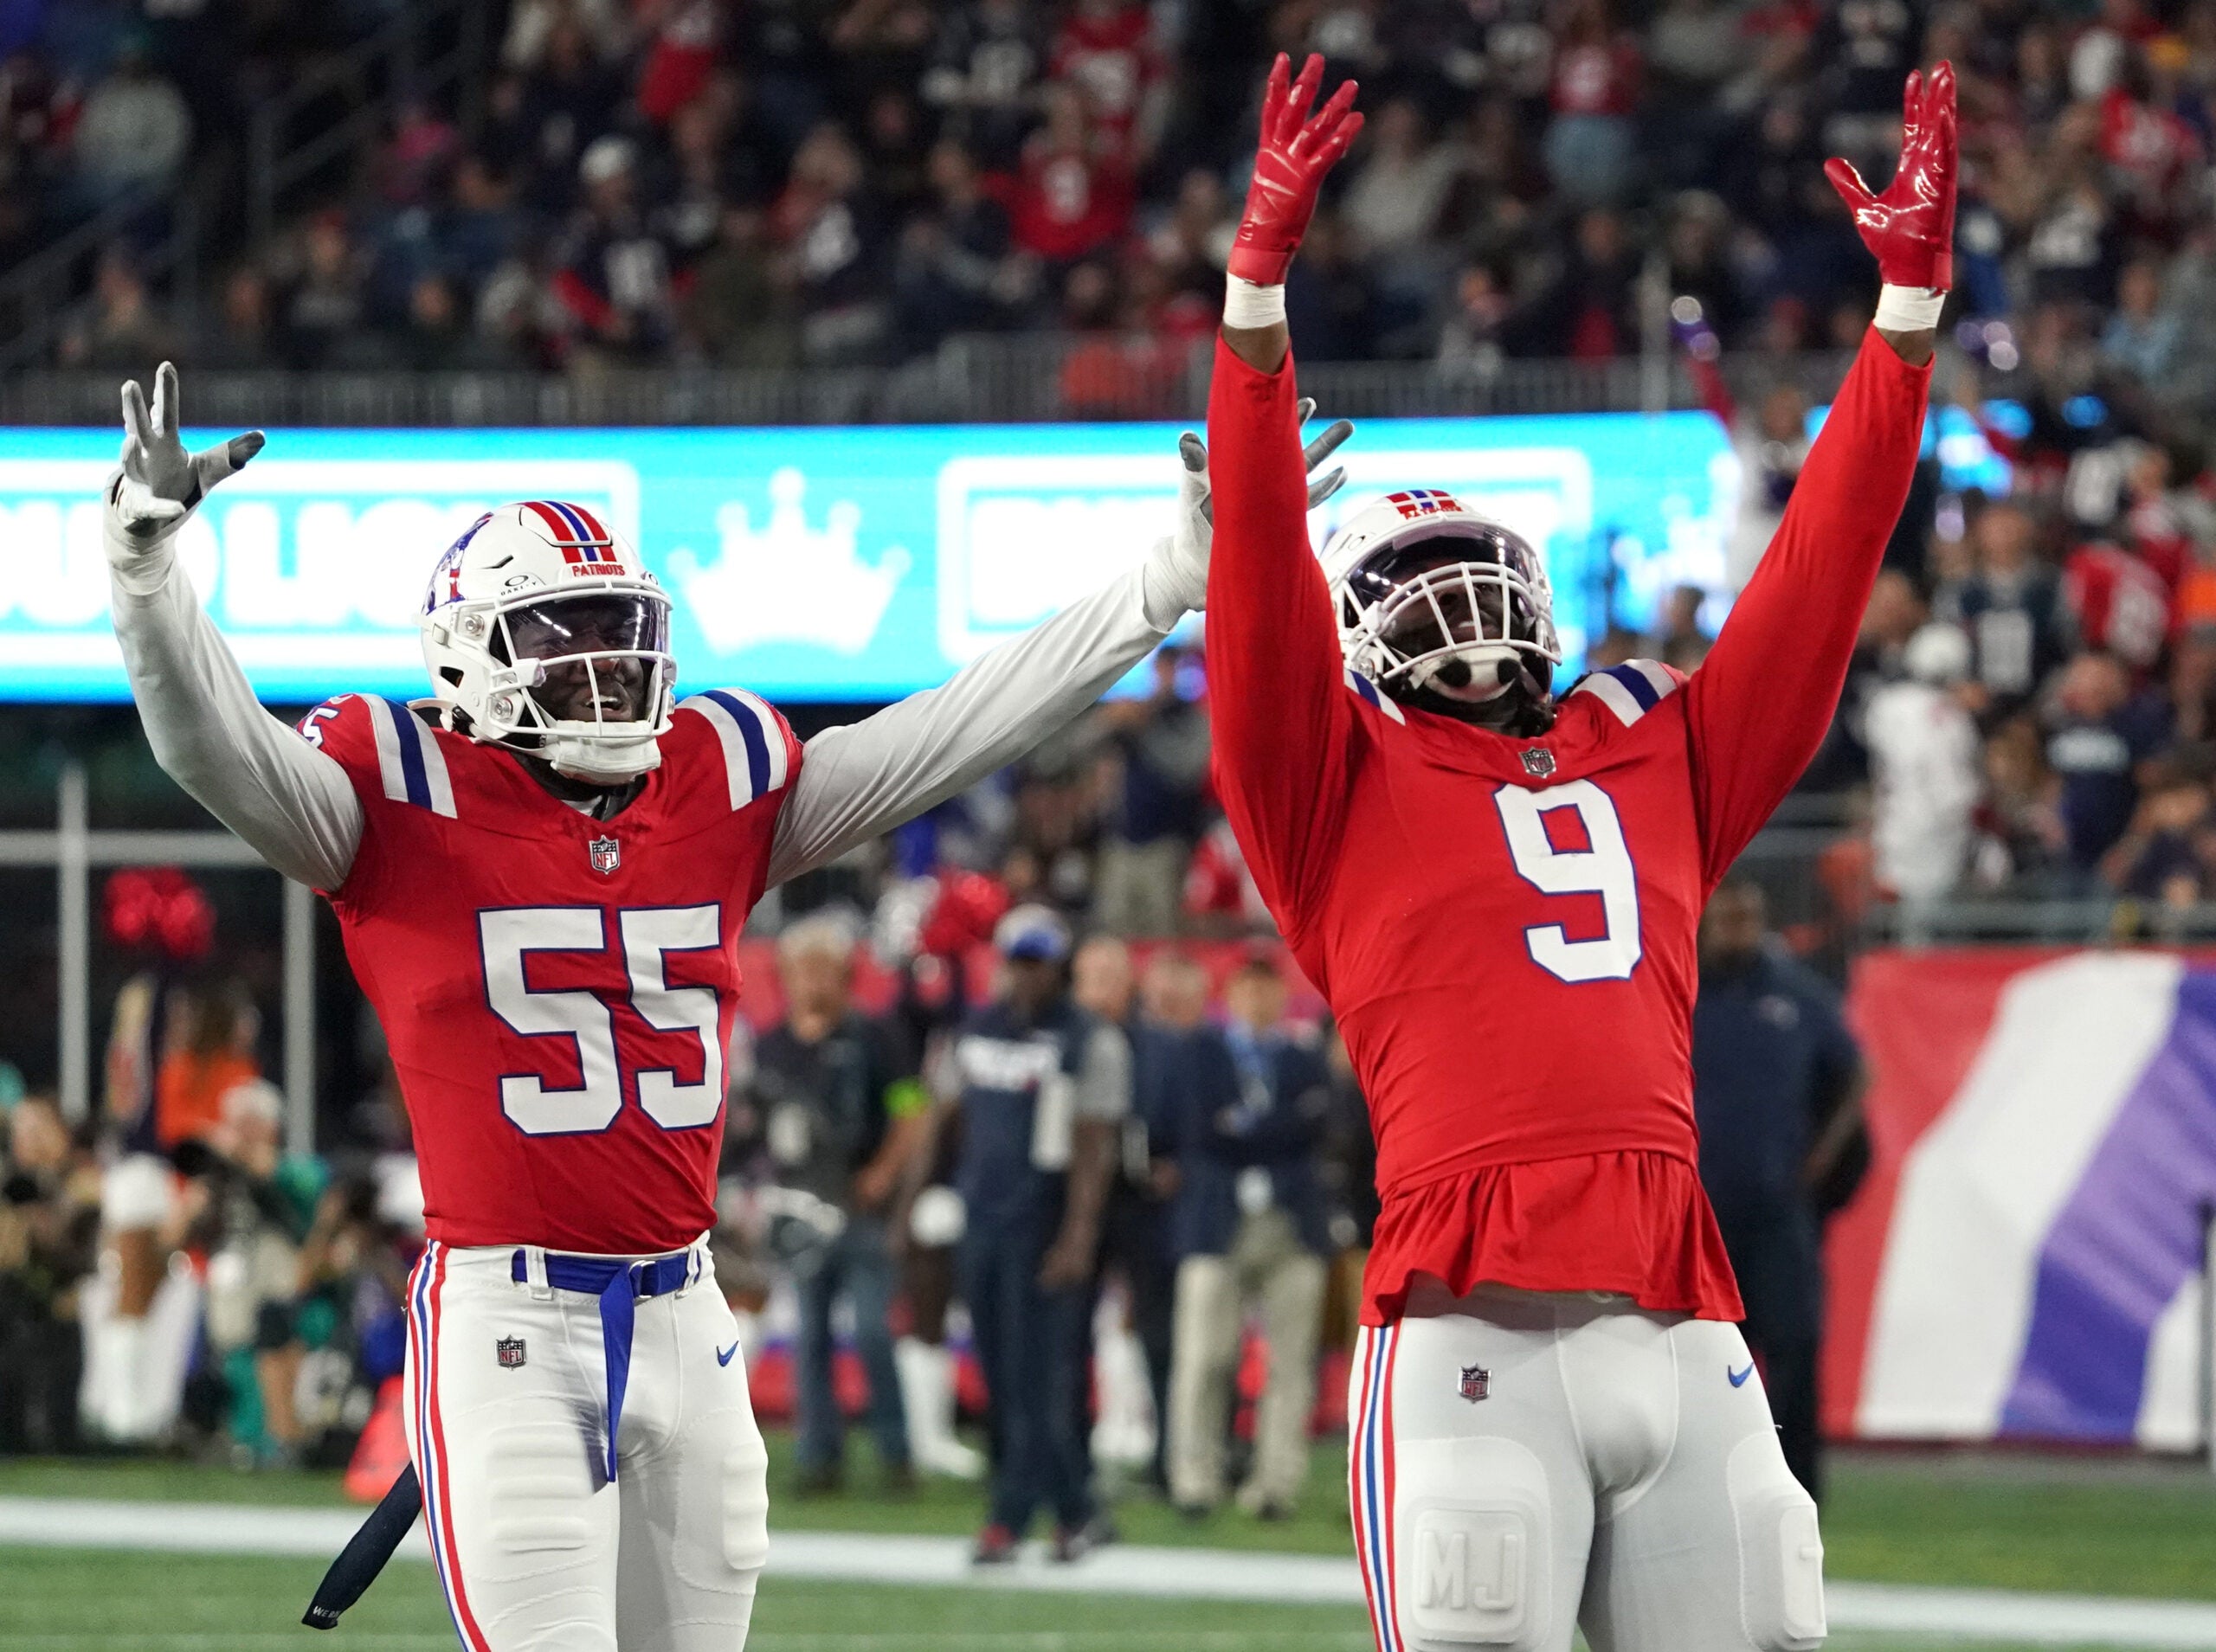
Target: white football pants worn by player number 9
{"points": [[1523, 1465]]}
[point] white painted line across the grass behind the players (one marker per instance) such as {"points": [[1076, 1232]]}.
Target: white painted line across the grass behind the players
{"points": [[1125, 1569]]}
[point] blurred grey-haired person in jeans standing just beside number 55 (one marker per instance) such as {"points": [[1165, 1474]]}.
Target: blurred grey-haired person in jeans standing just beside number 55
{"points": [[841, 1119]]}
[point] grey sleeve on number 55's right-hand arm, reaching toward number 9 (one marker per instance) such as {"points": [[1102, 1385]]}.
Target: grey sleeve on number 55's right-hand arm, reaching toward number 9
{"points": [[870, 776]]}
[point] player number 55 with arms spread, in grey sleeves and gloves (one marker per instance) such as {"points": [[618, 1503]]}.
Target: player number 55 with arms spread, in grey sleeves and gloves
{"points": [[542, 874]]}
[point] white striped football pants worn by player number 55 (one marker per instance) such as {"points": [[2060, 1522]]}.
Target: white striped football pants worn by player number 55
{"points": [[506, 1414]]}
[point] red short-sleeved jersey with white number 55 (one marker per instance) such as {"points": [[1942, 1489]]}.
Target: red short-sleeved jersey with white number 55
{"points": [[557, 991]]}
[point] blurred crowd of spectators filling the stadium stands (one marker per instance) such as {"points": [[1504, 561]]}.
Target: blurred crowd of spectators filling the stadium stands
{"points": [[770, 185]]}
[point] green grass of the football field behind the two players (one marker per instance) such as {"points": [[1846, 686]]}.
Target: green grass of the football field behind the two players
{"points": [[1951, 1520]]}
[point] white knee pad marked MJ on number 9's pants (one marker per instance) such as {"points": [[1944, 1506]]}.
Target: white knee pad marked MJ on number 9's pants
{"points": [[1475, 1545]]}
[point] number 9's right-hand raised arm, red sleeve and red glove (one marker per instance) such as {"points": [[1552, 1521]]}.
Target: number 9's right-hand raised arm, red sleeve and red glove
{"points": [[1761, 703]]}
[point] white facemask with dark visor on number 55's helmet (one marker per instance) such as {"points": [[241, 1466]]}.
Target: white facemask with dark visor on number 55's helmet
{"points": [[582, 681]]}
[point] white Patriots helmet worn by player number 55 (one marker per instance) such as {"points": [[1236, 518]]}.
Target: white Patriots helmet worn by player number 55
{"points": [[546, 634]]}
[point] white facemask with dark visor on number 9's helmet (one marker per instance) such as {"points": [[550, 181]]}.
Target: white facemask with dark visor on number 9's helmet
{"points": [[1455, 621]]}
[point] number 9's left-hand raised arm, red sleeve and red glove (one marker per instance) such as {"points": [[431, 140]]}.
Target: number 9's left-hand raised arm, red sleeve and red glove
{"points": [[1278, 694]]}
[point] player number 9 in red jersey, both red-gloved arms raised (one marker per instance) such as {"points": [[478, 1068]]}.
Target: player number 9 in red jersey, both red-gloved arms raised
{"points": [[1497, 889]]}
